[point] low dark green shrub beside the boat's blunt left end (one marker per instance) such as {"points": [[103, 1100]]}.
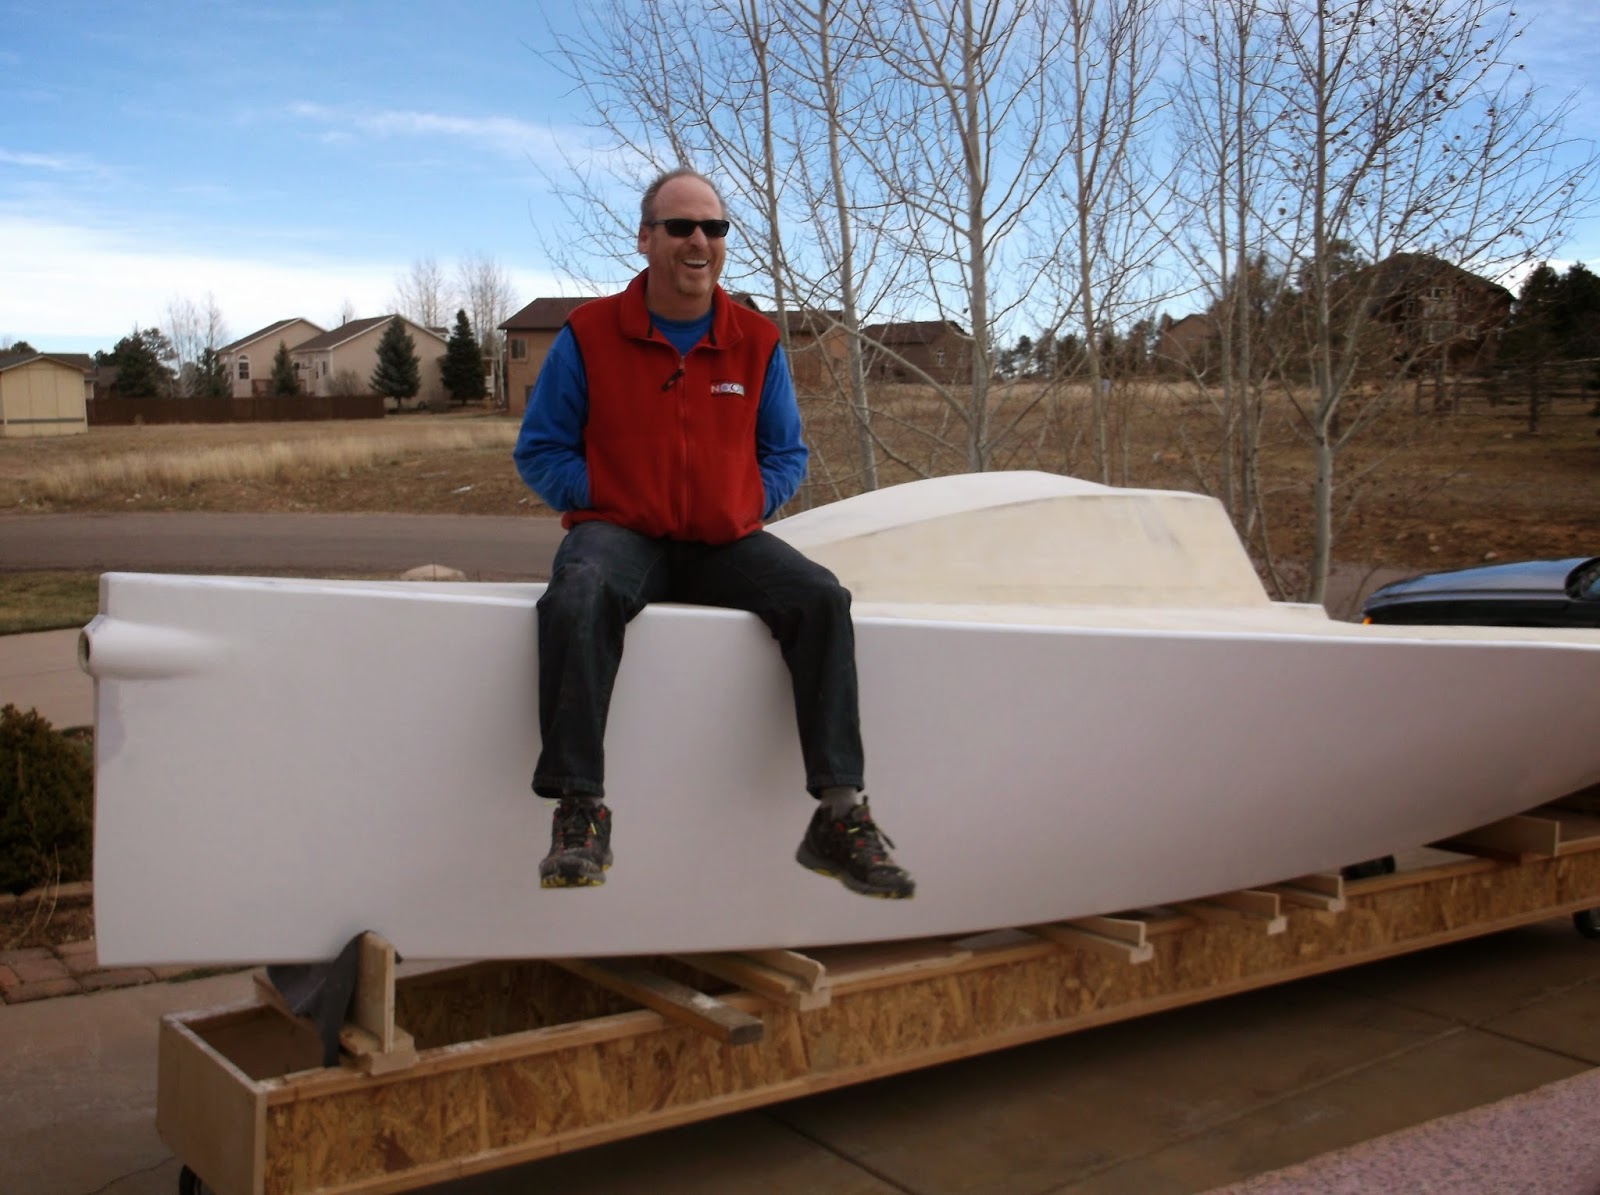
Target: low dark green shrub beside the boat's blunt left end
{"points": [[47, 793]]}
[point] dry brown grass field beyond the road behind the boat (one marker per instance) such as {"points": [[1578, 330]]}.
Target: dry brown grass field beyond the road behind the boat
{"points": [[1418, 490]]}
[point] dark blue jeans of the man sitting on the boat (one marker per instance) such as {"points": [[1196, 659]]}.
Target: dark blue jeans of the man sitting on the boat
{"points": [[604, 575]]}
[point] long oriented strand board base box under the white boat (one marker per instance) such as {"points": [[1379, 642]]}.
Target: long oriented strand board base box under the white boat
{"points": [[471, 1106]]}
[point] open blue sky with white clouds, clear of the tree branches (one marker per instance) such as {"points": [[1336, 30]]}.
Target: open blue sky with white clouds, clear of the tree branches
{"points": [[294, 158]]}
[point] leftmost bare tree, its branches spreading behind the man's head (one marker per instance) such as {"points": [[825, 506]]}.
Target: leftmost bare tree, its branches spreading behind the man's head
{"points": [[759, 106]]}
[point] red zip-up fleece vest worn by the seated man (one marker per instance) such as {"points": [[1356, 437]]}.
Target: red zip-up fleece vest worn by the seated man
{"points": [[671, 442]]}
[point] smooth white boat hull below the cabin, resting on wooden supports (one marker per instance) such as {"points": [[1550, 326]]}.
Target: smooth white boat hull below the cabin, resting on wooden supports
{"points": [[286, 764]]}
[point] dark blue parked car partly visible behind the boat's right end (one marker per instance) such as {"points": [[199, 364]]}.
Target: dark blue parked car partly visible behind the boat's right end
{"points": [[1530, 594]]}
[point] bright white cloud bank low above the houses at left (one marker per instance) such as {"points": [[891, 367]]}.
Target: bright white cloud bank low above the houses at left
{"points": [[78, 289]]}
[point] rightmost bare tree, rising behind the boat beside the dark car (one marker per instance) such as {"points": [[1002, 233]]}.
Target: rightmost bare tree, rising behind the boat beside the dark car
{"points": [[1406, 129]]}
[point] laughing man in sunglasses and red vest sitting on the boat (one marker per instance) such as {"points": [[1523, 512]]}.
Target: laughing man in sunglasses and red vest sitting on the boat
{"points": [[665, 428]]}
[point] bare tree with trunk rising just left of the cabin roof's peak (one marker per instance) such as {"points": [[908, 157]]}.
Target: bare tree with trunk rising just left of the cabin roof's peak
{"points": [[975, 180]]}
